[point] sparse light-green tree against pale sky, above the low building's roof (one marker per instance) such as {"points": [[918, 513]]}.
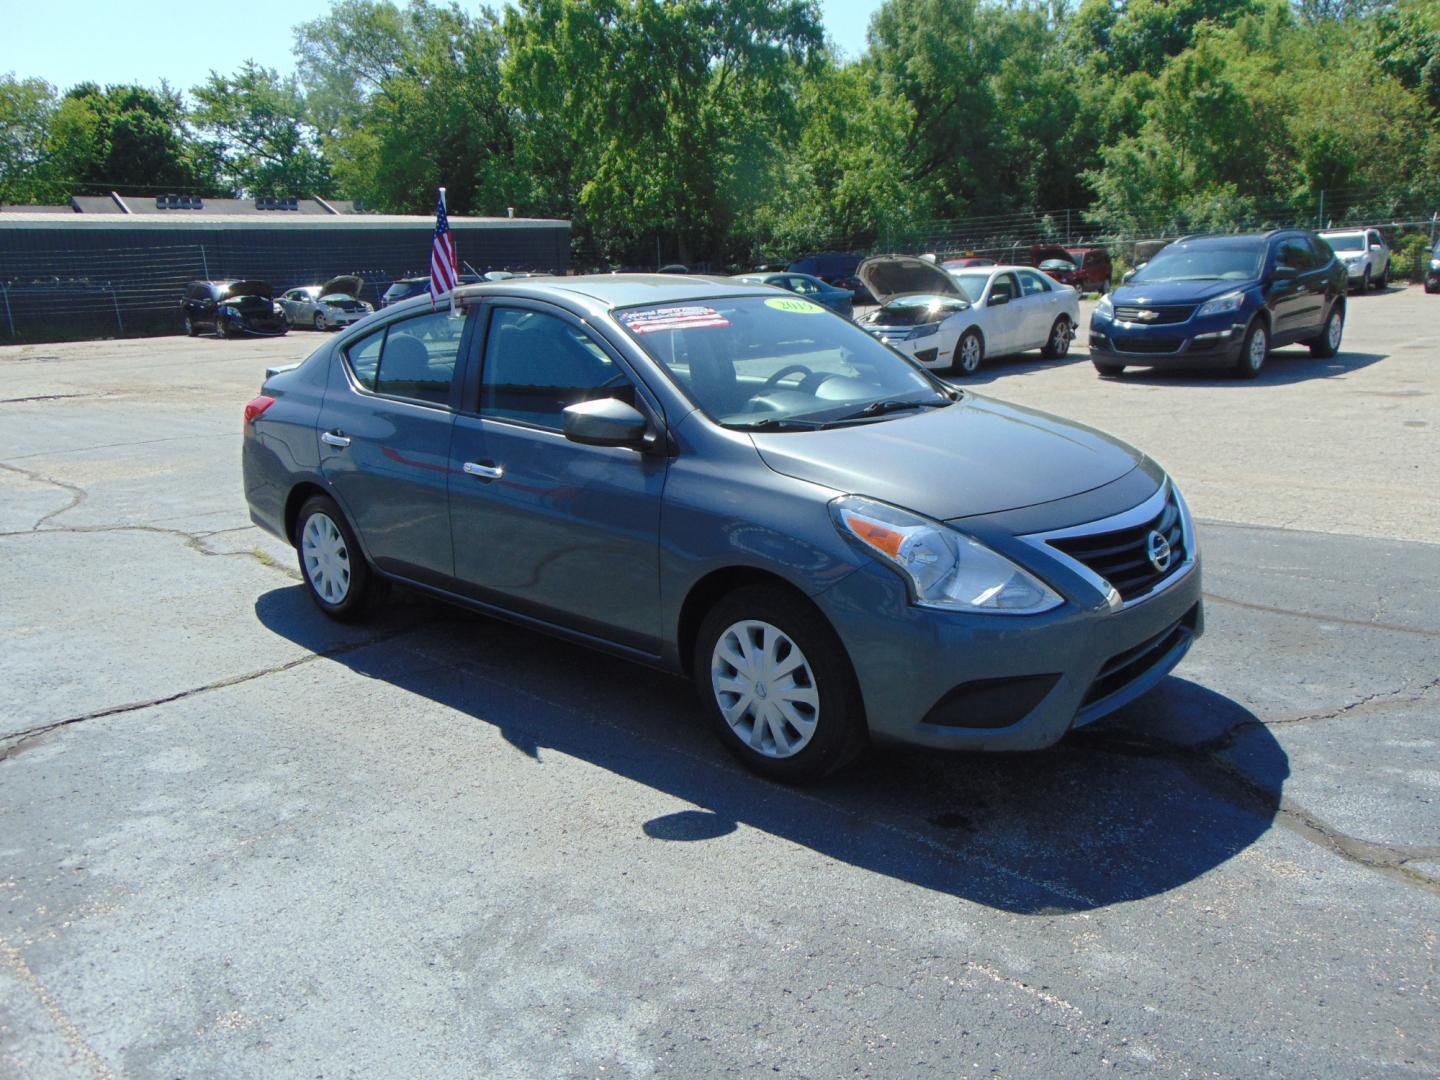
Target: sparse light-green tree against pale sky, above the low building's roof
{"points": [[256, 126]]}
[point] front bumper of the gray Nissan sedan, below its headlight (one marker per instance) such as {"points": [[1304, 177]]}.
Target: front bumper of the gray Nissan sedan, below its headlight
{"points": [[960, 682]]}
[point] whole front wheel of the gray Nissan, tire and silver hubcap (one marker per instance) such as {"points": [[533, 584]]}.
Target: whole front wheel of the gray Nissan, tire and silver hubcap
{"points": [[778, 688]]}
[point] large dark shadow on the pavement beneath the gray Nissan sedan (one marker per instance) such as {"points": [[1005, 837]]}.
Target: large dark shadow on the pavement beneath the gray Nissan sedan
{"points": [[1144, 803]]}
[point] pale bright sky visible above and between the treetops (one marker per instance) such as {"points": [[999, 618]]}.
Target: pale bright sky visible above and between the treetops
{"points": [[67, 42]]}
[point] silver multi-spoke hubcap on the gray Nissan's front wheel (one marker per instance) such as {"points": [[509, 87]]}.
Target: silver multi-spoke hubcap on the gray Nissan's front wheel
{"points": [[765, 689]]}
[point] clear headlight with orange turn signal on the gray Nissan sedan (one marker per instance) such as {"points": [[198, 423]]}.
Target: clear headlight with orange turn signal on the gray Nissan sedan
{"points": [[945, 570]]}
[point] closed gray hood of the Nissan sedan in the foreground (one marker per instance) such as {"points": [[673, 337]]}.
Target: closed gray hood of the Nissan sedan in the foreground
{"points": [[974, 457]]}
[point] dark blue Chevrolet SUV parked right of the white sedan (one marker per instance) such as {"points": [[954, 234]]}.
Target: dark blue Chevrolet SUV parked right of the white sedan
{"points": [[1223, 302]]}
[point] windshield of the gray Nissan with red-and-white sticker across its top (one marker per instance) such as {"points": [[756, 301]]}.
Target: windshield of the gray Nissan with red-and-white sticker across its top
{"points": [[778, 364]]}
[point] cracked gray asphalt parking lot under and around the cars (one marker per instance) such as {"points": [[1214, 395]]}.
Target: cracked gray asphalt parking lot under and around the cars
{"points": [[240, 840]]}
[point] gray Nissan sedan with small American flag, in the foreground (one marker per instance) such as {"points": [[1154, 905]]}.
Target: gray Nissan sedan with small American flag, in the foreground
{"points": [[741, 487]]}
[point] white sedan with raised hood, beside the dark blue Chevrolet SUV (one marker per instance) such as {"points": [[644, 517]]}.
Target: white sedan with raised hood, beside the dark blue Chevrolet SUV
{"points": [[954, 320]]}
